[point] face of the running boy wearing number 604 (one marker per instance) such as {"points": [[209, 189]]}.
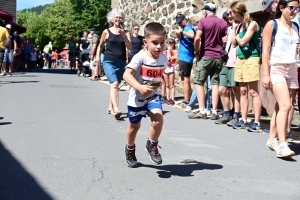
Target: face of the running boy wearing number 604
{"points": [[155, 44]]}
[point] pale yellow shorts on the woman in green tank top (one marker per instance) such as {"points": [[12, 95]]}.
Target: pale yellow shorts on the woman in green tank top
{"points": [[247, 70]]}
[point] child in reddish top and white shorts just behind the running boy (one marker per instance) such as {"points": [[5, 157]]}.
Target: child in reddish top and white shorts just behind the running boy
{"points": [[169, 71]]}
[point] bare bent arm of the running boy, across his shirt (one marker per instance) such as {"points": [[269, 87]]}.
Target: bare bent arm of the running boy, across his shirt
{"points": [[128, 77]]}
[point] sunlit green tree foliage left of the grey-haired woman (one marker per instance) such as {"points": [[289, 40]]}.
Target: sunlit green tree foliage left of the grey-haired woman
{"points": [[62, 19]]}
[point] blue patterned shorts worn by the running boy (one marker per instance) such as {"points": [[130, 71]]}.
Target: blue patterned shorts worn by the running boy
{"points": [[135, 114]]}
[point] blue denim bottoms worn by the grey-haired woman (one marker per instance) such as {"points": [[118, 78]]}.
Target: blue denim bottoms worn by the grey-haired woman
{"points": [[114, 70]]}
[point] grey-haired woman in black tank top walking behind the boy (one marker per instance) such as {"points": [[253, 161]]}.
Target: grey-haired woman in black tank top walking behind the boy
{"points": [[117, 40]]}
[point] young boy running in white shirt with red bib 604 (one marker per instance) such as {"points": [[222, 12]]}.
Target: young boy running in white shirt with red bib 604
{"points": [[144, 74]]}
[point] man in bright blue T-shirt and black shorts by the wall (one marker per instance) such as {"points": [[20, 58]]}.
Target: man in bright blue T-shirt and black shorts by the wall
{"points": [[185, 54]]}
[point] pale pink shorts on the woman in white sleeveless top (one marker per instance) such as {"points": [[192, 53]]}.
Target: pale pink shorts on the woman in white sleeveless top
{"points": [[285, 73]]}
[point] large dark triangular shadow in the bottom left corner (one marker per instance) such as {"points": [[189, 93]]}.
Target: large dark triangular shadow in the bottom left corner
{"points": [[15, 181]]}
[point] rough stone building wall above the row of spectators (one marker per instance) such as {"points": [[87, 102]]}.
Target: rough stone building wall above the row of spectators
{"points": [[164, 11]]}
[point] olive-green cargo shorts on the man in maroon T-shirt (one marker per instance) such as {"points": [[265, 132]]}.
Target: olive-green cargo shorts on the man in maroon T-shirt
{"points": [[205, 67]]}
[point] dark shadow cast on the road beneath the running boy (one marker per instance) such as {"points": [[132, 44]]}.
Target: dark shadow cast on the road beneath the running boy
{"points": [[182, 170]]}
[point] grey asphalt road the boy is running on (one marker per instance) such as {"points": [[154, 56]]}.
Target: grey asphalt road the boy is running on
{"points": [[58, 142]]}
